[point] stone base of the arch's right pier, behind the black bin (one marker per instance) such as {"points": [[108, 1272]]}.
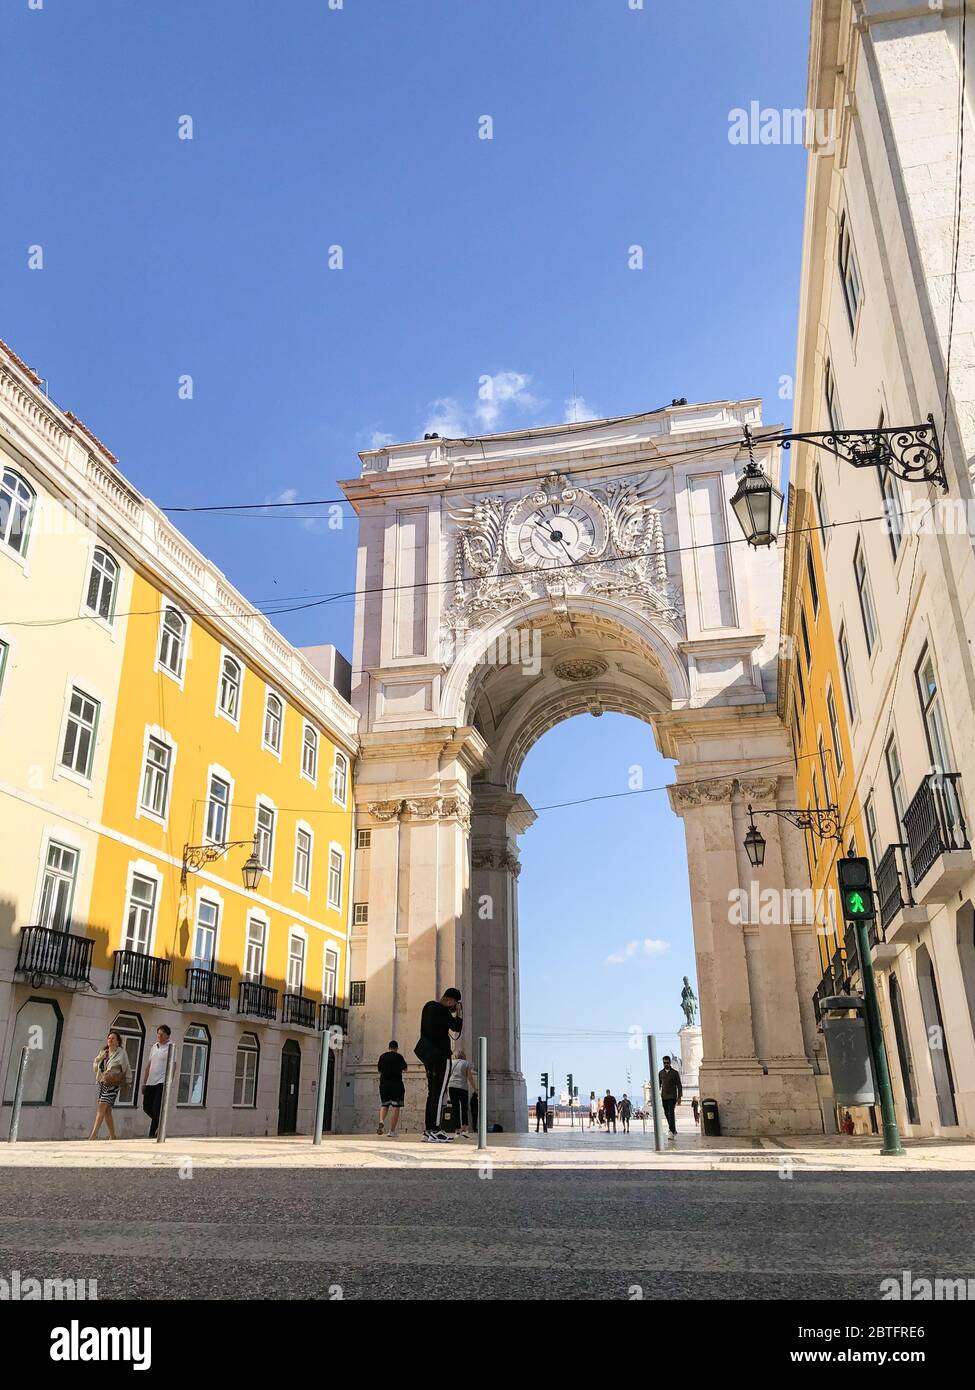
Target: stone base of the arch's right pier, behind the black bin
{"points": [[782, 1100]]}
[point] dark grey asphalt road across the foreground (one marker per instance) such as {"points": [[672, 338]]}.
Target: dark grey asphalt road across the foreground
{"points": [[273, 1234]]}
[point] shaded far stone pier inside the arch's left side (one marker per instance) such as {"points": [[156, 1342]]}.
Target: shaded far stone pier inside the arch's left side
{"points": [[499, 818]]}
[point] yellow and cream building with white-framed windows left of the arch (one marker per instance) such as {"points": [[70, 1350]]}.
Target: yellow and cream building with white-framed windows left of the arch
{"points": [[159, 736]]}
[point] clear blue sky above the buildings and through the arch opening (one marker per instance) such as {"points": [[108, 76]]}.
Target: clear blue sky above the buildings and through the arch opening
{"points": [[462, 259]]}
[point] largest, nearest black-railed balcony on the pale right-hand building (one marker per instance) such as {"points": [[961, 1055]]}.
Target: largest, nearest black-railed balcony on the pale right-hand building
{"points": [[937, 836]]}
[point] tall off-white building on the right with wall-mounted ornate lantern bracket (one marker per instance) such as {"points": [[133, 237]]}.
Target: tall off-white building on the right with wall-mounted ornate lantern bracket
{"points": [[880, 301]]}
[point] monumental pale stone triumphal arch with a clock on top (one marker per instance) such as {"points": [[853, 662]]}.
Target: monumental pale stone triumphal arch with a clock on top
{"points": [[513, 582]]}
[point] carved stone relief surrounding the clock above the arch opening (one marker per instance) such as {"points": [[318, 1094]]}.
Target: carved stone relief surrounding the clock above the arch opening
{"points": [[613, 537]]}
